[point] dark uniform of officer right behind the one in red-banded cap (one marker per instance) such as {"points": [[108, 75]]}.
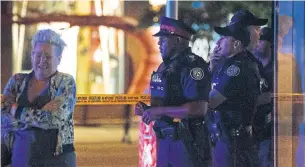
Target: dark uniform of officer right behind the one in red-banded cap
{"points": [[231, 121]]}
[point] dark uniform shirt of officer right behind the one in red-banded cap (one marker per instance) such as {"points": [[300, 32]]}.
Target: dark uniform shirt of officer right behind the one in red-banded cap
{"points": [[238, 81]]}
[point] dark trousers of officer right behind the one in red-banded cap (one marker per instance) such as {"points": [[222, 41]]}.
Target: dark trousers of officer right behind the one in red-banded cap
{"points": [[225, 154]]}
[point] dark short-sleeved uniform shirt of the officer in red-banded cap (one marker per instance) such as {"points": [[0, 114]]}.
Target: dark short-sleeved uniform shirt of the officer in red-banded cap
{"points": [[185, 79]]}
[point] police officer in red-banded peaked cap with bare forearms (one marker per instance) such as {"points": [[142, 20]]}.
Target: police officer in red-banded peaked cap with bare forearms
{"points": [[179, 89]]}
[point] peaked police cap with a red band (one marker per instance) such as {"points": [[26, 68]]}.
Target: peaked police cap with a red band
{"points": [[172, 27]]}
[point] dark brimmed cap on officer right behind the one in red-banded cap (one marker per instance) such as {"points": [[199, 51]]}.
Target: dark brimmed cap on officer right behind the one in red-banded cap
{"points": [[235, 30]]}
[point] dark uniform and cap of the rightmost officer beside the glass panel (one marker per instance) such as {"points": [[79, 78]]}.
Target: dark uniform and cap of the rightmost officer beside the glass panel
{"points": [[263, 122]]}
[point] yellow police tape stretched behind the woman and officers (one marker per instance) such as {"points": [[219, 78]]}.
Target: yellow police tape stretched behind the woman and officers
{"points": [[113, 99]]}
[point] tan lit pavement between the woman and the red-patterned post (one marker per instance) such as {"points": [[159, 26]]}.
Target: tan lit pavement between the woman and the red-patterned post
{"points": [[102, 147]]}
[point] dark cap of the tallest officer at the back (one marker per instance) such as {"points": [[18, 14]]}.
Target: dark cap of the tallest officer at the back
{"points": [[245, 17]]}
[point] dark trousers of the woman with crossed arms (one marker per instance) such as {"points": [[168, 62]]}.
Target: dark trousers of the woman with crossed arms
{"points": [[35, 148]]}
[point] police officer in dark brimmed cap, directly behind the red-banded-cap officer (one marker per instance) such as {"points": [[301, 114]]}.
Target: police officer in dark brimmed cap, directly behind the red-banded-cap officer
{"points": [[235, 89]]}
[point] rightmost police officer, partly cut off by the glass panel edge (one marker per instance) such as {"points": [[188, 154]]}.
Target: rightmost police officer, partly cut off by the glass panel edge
{"points": [[263, 117]]}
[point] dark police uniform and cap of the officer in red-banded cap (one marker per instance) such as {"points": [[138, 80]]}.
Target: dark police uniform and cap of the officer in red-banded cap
{"points": [[183, 78]]}
